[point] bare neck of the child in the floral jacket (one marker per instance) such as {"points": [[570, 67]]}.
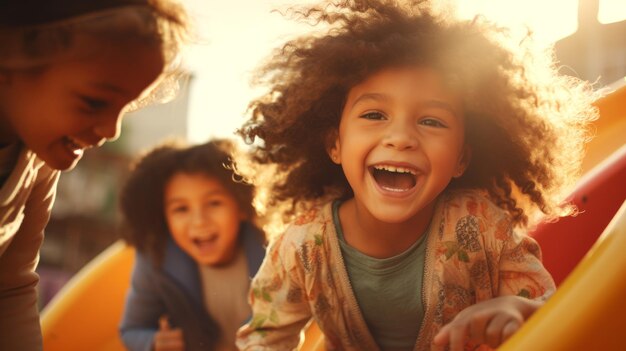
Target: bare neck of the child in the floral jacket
{"points": [[379, 239]]}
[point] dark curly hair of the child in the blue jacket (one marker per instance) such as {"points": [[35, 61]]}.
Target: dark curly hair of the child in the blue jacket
{"points": [[141, 200]]}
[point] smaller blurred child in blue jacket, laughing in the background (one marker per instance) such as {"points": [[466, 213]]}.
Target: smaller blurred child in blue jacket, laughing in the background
{"points": [[197, 249]]}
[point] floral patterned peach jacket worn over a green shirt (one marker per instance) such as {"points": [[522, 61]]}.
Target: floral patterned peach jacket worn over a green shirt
{"points": [[472, 255]]}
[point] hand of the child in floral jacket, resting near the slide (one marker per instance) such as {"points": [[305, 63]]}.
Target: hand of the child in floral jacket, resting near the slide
{"points": [[489, 322]]}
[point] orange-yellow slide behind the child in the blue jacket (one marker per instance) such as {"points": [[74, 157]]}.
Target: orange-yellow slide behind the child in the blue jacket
{"points": [[86, 313]]}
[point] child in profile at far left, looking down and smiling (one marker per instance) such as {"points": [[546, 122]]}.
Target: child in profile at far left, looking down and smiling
{"points": [[68, 68]]}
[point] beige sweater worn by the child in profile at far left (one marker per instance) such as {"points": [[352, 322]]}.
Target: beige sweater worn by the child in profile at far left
{"points": [[26, 200]]}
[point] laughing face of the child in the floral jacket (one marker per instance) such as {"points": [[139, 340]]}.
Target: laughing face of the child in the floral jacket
{"points": [[401, 140]]}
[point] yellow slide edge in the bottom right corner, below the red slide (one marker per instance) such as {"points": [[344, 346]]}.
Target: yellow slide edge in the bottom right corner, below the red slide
{"points": [[587, 311]]}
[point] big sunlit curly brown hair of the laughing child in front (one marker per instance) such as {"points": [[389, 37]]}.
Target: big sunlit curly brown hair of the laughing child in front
{"points": [[525, 124]]}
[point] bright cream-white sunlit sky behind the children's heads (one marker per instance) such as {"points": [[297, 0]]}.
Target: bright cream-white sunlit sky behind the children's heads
{"points": [[238, 34]]}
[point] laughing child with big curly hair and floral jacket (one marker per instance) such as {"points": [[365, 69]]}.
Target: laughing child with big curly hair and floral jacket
{"points": [[414, 149]]}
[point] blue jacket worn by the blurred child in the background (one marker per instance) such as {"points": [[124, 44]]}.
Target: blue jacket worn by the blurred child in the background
{"points": [[175, 289]]}
